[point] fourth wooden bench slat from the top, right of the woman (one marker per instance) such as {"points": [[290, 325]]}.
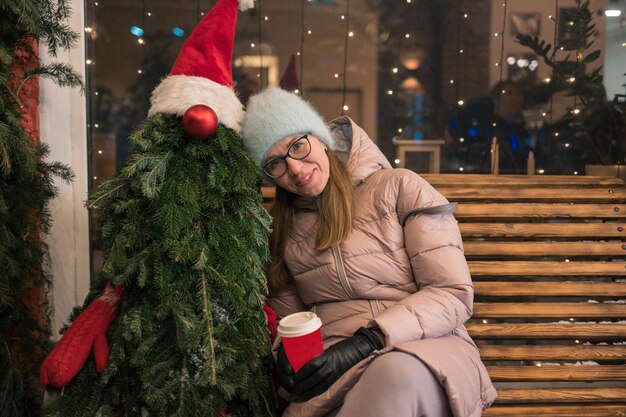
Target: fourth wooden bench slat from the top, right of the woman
{"points": [[565, 230]]}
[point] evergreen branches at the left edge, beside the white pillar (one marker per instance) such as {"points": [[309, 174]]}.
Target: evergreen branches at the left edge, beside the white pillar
{"points": [[26, 187]]}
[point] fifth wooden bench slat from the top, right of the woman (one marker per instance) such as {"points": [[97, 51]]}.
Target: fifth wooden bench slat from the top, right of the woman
{"points": [[511, 249]]}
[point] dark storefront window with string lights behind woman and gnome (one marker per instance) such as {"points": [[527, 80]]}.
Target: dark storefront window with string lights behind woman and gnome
{"points": [[446, 73]]}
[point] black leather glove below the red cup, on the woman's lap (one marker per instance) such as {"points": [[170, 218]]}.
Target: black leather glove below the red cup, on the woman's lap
{"points": [[320, 372]]}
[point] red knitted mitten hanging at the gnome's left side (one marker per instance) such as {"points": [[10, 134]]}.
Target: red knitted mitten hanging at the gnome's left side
{"points": [[89, 329]]}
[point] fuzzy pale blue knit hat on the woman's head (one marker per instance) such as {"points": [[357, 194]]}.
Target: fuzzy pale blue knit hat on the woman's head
{"points": [[274, 114]]}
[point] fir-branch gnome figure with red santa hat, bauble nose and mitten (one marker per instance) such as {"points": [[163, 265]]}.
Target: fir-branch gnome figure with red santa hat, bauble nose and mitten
{"points": [[183, 281]]}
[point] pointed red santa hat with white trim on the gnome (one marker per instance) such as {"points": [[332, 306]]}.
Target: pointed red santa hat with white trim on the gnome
{"points": [[202, 73]]}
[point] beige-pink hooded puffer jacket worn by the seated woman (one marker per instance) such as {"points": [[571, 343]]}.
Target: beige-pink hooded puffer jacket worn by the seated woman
{"points": [[411, 281]]}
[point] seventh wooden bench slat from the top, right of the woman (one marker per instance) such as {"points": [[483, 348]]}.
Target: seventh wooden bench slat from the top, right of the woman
{"points": [[550, 289]]}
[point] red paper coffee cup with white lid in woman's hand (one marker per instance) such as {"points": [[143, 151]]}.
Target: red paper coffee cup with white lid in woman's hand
{"points": [[301, 334]]}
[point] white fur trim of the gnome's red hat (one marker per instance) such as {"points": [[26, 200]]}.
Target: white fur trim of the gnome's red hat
{"points": [[176, 93]]}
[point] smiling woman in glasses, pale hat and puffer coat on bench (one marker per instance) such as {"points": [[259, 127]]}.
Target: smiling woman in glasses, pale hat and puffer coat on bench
{"points": [[376, 253]]}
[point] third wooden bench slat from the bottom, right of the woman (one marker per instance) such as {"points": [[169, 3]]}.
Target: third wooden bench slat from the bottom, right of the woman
{"points": [[558, 373]]}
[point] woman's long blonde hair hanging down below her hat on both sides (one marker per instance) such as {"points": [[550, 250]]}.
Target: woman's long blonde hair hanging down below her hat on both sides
{"points": [[333, 225]]}
